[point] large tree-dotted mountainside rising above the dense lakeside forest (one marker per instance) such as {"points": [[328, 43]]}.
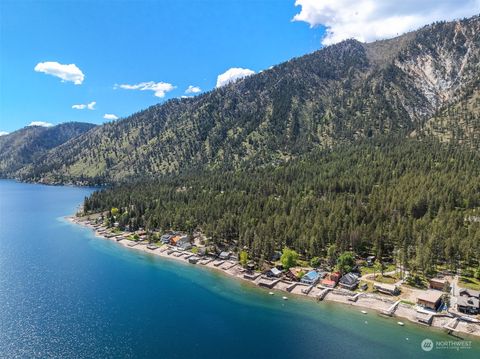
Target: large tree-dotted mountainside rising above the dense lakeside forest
{"points": [[414, 85]]}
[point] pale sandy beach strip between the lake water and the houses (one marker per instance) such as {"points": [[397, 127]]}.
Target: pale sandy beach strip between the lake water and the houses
{"points": [[365, 301]]}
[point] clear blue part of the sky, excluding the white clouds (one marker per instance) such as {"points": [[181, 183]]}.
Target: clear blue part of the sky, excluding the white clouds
{"points": [[182, 43]]}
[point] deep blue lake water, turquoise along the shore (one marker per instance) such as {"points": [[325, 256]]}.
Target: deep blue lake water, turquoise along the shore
{"points": [[65, 293]]}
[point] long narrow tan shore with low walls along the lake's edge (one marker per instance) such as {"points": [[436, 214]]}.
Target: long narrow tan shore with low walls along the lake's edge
{"points": [[380, 304]]}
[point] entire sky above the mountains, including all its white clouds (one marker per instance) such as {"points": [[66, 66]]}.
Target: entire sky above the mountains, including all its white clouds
{"points": [[116, 48]]}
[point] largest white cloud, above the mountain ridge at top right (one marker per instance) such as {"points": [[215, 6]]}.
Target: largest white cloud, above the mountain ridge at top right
{"points": [[369, 20]]}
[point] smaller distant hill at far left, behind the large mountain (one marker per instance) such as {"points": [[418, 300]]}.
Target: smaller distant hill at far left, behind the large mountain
{"points": [[29, 144]]}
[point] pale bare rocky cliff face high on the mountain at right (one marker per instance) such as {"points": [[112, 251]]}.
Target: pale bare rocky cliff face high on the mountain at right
{"points": [[441, 61]]}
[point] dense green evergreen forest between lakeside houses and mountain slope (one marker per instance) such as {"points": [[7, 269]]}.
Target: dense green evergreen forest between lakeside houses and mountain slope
{"points": [[416, 202]]}
